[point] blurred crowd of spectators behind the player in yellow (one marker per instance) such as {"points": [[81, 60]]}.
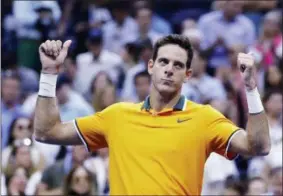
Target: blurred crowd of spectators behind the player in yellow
{"points": [[112, 43]]}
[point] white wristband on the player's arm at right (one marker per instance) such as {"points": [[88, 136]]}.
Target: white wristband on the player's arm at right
{"points": [[254, 102]]}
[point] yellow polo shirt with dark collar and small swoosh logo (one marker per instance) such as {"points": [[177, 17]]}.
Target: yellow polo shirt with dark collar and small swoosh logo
{"points": [[157, 154]]}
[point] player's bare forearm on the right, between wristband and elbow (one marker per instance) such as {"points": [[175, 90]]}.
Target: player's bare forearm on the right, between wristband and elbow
{"points": [[258, 134]]}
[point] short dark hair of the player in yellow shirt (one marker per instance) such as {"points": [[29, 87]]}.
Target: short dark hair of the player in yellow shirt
{"points": [[176, 39]]}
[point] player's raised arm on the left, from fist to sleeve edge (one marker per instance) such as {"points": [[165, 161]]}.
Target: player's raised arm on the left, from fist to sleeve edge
{"points": [[48, 127]]}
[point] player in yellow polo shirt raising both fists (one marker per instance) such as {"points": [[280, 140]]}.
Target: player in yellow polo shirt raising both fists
{"points": [[166, 139]]}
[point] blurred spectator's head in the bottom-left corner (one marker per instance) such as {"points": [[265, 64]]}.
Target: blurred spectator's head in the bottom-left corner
{"points": [[16, 183]]}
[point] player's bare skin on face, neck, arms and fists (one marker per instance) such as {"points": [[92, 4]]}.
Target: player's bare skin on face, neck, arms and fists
{"points": [[168, 72]]}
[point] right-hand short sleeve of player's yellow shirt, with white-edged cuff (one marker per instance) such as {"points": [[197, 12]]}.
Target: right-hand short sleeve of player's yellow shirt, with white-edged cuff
{"points": [[219, 133]]}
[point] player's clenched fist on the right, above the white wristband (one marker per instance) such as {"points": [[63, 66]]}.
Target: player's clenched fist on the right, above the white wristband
{"points": [[246, 65]]}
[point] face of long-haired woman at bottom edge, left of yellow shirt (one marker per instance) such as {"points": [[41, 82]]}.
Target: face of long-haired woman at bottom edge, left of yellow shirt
{"points": [[80, 182]]}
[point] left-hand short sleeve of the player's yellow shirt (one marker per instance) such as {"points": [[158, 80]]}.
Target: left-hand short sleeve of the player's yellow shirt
{"points": [[93, 129]]}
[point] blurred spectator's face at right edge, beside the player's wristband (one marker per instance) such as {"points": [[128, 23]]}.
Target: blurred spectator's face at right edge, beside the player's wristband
{"points": [[274, 104]]}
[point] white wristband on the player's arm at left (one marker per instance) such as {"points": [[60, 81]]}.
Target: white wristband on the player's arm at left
{"points": [[47, 85]]}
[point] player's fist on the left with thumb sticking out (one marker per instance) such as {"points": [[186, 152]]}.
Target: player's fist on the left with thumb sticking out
{"points": [[52, 55]]}
